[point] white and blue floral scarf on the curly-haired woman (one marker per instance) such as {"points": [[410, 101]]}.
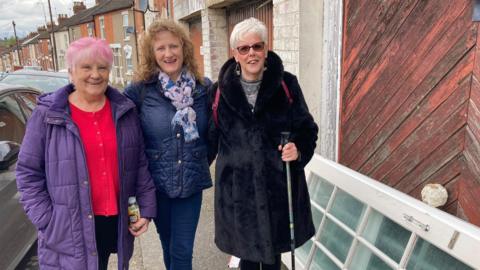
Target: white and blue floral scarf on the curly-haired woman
{"points": [[180, 93]]}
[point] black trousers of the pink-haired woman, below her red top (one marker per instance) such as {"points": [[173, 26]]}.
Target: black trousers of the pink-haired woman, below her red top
{"points": [[106, 234]]}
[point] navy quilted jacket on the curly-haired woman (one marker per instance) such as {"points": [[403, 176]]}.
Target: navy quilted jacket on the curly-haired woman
{"points": [[179, 169]]}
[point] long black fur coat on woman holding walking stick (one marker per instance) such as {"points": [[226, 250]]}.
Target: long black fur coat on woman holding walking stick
{"points": [[251, 206]]}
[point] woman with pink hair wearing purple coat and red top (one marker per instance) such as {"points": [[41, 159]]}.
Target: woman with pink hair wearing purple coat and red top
{"points": [[81, 160]]}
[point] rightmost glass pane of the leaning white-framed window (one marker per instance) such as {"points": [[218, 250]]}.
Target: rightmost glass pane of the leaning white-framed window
{"points": [[426, 257]]}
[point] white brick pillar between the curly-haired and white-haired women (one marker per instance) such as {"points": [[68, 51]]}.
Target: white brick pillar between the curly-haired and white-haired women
{"points": [[215, 41]]}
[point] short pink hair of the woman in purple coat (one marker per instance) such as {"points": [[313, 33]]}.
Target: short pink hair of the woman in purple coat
{"points": [[88, 48]]}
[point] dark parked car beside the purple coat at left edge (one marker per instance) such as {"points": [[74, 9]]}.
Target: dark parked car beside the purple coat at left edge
{"points": [[17, 233]]}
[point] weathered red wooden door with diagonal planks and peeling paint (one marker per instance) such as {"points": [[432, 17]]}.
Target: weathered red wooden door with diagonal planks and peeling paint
{"points": [[410, 97]]}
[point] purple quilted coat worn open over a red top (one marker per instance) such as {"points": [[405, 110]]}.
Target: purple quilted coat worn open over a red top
{"points": [[53, 181]]}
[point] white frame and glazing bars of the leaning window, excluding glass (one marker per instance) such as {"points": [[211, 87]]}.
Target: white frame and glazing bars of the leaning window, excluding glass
{"points": [[453, 236]]}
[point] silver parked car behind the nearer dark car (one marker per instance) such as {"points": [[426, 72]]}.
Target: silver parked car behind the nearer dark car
{"points": [[45, 81]]}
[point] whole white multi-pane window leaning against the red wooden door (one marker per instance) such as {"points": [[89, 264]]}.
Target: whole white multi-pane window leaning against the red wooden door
{"points": [[353, 231]]}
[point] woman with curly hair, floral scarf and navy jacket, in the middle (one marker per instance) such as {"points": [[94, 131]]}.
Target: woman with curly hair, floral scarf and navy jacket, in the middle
{"points": [[171, 99]]}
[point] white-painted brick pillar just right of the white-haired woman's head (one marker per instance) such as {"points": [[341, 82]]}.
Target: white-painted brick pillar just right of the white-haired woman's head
{"points": [[286, 28]]}
